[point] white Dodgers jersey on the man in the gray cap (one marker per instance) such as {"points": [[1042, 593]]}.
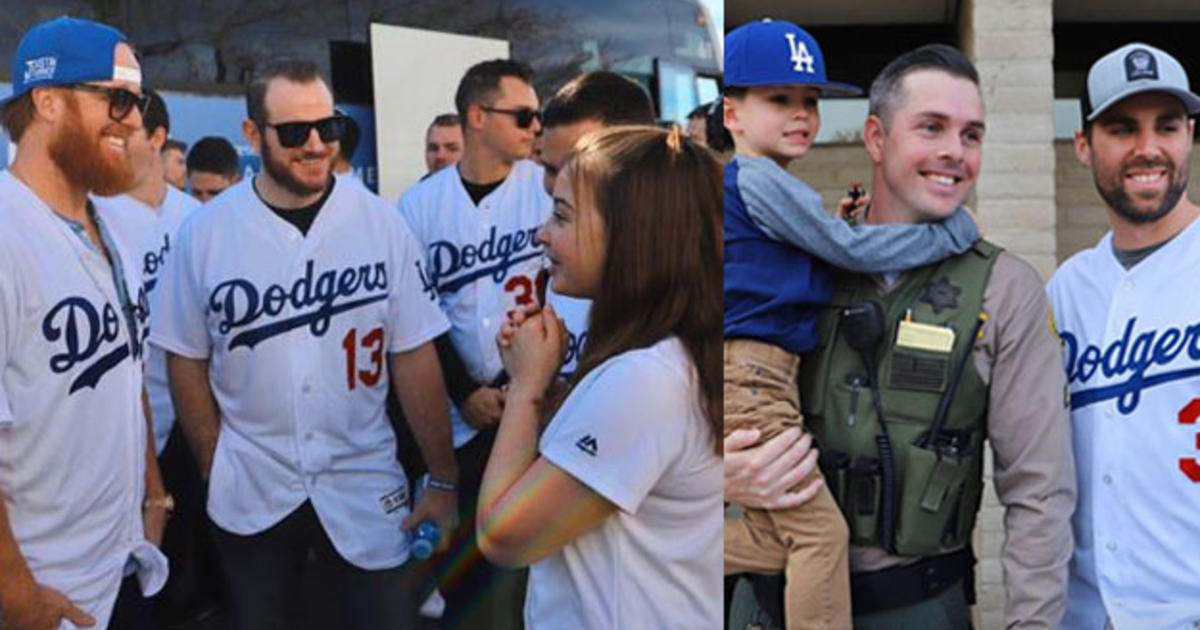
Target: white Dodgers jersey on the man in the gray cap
{"points": [[1132, 351]]}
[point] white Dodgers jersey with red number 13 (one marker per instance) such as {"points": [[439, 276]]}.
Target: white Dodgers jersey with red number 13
{"points": [[298, 329]]}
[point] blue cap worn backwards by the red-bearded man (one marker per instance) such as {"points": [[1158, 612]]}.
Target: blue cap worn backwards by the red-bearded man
{"points": [[67, 51]]}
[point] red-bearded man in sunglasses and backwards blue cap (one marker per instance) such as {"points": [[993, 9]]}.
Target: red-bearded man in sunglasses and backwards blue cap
{"points": [[80, 485]]}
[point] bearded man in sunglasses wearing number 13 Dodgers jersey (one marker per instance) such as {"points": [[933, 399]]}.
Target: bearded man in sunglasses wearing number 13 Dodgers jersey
{"points": [[289, 303]]}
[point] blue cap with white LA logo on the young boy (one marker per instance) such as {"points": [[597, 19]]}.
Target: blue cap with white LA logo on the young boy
{"points": [[778, 53]]}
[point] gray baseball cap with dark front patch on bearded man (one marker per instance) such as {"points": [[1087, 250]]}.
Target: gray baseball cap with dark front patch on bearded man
{"points": [[1135, 69]]}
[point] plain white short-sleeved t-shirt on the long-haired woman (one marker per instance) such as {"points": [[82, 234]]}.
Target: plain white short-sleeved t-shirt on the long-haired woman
{"points": [[634, 433]]}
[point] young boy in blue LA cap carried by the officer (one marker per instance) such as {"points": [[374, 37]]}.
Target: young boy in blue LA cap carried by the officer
{"points": [[778, 245]]}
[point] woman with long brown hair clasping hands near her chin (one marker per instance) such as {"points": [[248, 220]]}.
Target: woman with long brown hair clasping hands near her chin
{"points": [[617, 505]]}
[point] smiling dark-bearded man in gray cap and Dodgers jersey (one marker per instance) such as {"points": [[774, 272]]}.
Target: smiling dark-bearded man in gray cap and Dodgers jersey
{"points": [[1130, 322]]}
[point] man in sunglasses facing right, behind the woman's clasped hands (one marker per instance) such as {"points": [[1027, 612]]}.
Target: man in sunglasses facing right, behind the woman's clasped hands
{"points": [[477, 220]]}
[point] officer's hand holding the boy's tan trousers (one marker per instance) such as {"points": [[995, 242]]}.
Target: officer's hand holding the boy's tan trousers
{"points": [[761, 477]]}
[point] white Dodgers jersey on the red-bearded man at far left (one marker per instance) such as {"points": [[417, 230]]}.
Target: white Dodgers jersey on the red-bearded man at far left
{"points": [[73, 433]]}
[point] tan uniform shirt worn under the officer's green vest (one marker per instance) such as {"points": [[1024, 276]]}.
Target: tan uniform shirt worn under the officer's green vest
{"points": [[1029, 429]]}
